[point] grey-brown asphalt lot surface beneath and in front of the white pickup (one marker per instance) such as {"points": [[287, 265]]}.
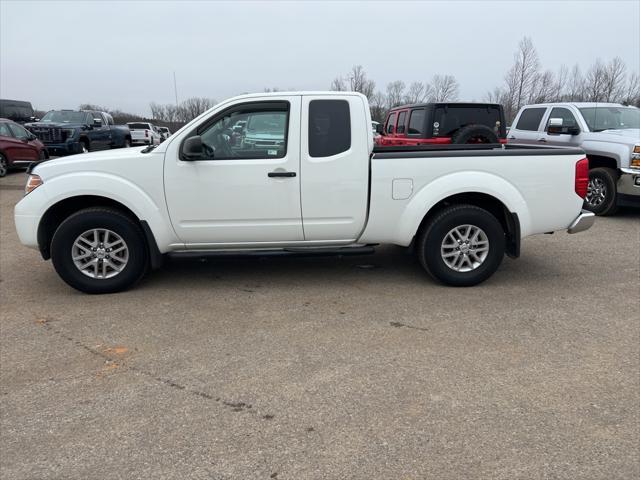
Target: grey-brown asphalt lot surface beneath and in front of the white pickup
{"points": [[359, 368]]}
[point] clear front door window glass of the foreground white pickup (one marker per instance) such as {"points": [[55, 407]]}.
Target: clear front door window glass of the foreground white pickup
{"points": [[251, 132]]}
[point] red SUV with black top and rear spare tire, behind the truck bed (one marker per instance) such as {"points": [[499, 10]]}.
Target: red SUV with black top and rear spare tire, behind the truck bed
{"points": [[443, 123]]}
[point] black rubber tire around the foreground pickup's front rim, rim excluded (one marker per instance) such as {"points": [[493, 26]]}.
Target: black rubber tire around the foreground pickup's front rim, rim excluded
{"points": [[99, 218]]}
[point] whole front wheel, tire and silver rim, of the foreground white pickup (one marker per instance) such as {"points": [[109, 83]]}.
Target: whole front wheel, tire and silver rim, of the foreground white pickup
{"points": [[99, 250]]}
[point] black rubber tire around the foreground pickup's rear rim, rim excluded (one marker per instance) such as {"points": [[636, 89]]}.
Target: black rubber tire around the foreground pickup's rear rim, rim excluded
{"points": [[433, 235]]}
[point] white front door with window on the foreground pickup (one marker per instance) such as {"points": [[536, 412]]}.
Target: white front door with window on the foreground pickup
{"points": [[245, 189]]}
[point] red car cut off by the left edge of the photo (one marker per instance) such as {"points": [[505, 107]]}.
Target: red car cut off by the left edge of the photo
{"points": [[18, 147]]}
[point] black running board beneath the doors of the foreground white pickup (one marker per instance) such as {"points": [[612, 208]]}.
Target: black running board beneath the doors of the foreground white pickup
{"points": [[283, 252]]}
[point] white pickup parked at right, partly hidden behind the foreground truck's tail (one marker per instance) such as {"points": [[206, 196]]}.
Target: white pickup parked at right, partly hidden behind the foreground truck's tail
{"points": [[609, 133]]}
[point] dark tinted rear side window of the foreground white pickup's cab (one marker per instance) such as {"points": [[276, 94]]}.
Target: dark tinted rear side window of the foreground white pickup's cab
{"points": [[329, 127]]}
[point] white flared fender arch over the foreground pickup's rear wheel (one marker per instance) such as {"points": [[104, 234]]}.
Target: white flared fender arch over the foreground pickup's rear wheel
{"points": [[461, 182]]}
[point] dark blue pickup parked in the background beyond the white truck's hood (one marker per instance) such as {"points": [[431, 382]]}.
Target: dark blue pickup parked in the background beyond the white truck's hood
{"points": [[65, 132]]}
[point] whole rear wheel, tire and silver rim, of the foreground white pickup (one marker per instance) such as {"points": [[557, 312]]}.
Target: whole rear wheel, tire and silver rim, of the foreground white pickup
{"points": [[462, 245]]}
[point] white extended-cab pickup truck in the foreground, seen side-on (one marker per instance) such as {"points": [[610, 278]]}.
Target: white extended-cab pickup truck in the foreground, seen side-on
{"points": [[316, 187]]}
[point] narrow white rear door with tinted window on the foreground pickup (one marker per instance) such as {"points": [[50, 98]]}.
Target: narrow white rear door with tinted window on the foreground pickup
{"points": [[334, 167]]}
